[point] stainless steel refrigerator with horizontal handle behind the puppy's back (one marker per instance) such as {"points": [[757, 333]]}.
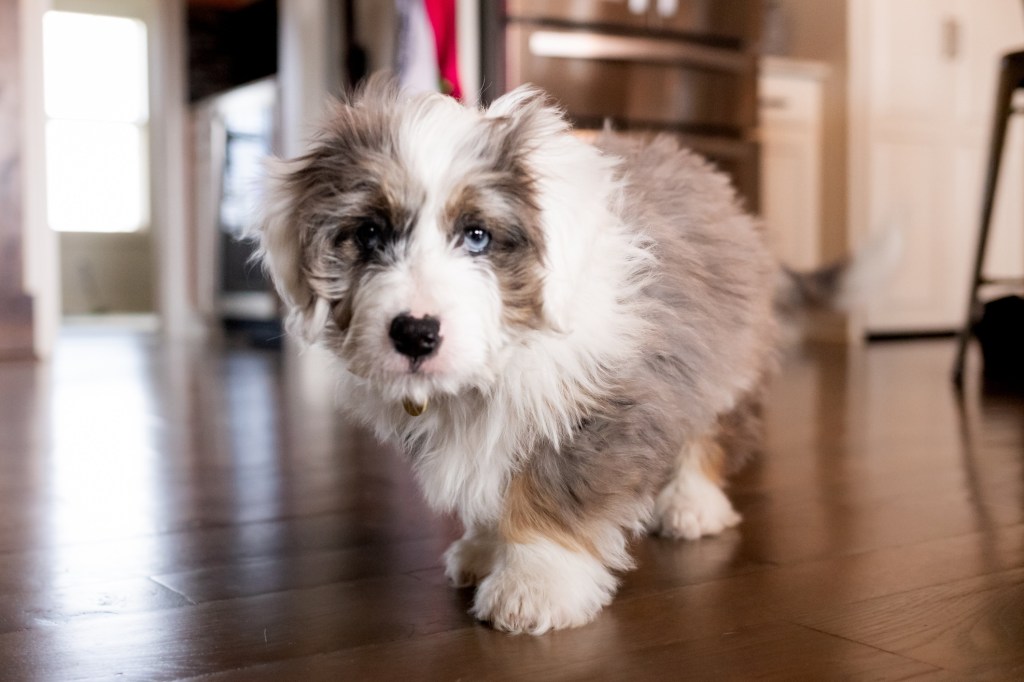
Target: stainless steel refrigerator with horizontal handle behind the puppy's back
{"points": [[689, 67]]}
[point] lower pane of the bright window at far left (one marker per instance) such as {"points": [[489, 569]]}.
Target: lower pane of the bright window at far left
{"points": [[97, 177]]}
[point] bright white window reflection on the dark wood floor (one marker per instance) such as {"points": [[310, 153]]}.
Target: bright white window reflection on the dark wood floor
{"points": [[103, 460]]}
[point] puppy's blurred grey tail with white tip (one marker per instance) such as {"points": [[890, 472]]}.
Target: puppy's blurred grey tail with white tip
{"points": [[843, 285]]}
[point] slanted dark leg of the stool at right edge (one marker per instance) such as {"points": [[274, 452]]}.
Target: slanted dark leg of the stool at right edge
{"points": [[1008, 83]]}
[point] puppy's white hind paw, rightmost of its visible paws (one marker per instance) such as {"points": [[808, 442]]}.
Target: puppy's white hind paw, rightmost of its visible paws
{"points": [[692, 507]]}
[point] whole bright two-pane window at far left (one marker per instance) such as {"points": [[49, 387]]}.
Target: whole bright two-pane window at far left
{"points": [[97, 96]]}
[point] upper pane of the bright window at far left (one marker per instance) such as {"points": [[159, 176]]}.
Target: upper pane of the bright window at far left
{"points": [[95, 67]]}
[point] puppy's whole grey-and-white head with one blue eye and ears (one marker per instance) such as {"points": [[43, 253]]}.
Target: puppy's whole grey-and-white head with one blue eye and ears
{"points": [[413, 240]]}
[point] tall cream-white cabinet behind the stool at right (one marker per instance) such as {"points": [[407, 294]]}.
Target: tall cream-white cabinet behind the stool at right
{"points": [[922, 87]]}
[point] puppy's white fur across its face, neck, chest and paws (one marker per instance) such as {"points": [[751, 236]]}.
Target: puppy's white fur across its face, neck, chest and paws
{"points": [[499, 393]]}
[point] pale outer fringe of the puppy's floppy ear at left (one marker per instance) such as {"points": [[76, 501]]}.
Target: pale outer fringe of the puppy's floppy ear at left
{"points": [[281, 250]]}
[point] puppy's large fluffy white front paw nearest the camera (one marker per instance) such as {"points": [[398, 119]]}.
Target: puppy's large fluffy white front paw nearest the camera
{"points": [[542, 586]]}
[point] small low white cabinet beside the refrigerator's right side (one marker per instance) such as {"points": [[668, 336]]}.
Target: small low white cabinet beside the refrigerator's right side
{"points": [[791, 113]]}
